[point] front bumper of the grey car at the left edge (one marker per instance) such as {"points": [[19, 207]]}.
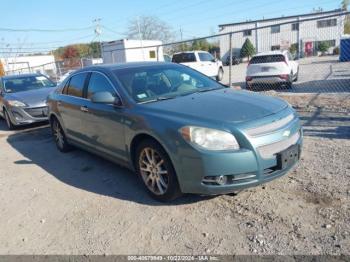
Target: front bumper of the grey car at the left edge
{"points": [[27, 115]]}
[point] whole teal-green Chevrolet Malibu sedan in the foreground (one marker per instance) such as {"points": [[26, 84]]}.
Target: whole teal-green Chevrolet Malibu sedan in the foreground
{"points": [[180, 131]]}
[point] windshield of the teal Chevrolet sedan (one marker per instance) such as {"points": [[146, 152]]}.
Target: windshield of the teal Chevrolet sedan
{"points": [[152, 83]]}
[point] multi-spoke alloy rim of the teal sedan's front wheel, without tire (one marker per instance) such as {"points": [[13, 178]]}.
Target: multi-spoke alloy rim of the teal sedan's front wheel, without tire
{"points": [[153, 171]]}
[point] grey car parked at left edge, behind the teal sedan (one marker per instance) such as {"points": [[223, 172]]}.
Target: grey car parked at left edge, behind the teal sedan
{"points": [[23, 98]]}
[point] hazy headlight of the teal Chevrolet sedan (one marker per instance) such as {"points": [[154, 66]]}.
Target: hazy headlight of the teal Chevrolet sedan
{"points": [[209, 139]]}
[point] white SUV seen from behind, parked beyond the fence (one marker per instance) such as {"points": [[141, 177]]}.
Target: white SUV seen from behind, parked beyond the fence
{"points": [[272, 68]]}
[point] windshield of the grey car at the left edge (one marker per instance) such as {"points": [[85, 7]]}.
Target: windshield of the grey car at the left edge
{"points": [[27, 83]]}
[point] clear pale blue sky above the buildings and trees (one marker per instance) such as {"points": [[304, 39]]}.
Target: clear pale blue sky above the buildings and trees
{"points": [[71, 21]]}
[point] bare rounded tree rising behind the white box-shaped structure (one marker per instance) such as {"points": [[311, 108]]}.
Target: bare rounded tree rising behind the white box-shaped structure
{"points": [[150, 28]]}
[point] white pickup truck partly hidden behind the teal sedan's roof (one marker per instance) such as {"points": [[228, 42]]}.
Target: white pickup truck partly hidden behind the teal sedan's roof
{"points": [[201, 61]]}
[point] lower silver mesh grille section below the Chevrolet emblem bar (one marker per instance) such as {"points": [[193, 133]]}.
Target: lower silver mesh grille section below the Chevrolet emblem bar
{"points": [[270, 150]]}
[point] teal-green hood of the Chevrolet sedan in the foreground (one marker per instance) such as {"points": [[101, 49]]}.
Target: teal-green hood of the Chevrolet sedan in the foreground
{"points": [[224, 105]]}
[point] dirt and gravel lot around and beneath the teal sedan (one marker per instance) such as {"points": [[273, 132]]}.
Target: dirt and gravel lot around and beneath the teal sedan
{"points": [[76, 203]]}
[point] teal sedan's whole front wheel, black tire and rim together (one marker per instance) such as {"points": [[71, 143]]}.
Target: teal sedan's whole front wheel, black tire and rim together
{"points": [[156, 171]]}
